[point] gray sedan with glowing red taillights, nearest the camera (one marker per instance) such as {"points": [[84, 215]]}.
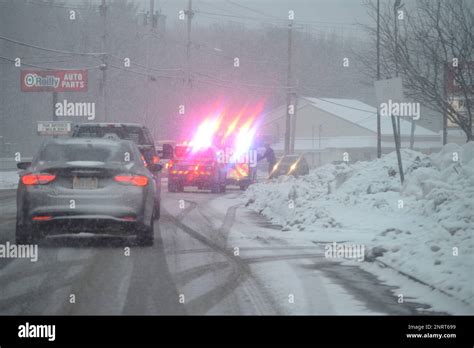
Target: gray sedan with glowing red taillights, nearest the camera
{"points": [[85, 185]]}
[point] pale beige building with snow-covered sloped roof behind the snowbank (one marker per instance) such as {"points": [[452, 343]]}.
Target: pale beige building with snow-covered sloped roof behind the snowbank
{"points": [[326, 128]]}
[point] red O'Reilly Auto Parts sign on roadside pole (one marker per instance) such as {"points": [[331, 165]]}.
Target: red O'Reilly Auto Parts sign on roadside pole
{"points": [[54, 80]]}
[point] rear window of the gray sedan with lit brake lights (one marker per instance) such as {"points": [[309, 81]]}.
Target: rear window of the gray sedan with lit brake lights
{"points": [[85, 152]]}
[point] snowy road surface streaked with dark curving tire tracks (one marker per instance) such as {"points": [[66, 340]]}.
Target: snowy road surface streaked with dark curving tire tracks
{"points": [[211, 256]]}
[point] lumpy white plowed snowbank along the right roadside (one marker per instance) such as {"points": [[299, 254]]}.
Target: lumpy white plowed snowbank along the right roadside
{"points": [[423, 229]]}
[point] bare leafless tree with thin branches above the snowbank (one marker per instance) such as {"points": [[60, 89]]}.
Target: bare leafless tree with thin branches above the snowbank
{"points": [[434, 47]]}
